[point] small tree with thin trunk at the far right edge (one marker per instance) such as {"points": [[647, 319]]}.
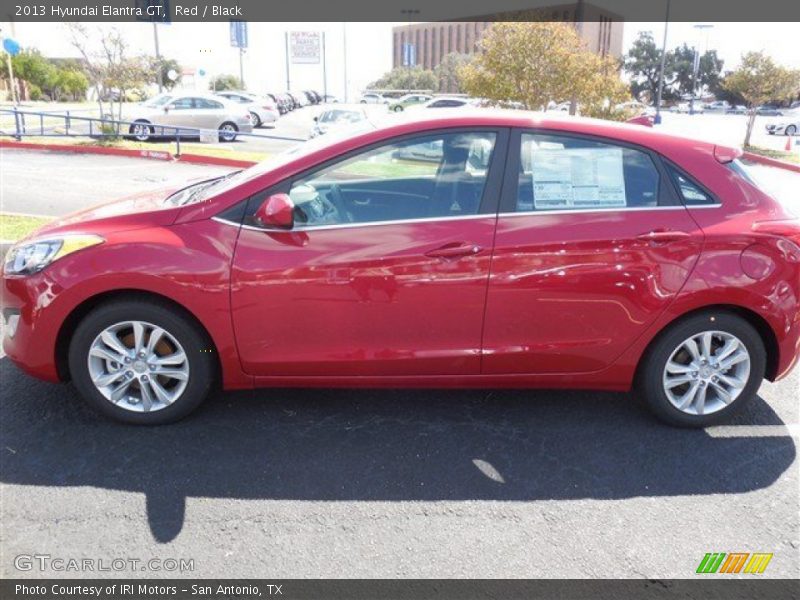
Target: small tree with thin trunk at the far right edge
{"points": [[759, 79]]}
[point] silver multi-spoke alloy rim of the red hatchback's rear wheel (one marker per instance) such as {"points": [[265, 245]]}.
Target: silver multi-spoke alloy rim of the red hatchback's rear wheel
{"points": [[706, 372]]}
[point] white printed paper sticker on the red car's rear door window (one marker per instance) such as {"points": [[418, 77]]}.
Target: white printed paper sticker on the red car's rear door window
{"points": [[578, 178]]}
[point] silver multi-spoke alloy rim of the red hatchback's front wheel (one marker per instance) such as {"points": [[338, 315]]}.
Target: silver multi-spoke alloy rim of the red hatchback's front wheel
{"points": [[138, 366]]}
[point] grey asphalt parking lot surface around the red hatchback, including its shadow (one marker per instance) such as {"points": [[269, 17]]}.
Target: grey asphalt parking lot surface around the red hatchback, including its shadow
{"points": [[392, 483]]}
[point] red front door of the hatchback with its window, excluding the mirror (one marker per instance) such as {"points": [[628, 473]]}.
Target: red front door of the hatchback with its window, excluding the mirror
{"points": [[385, 272]]}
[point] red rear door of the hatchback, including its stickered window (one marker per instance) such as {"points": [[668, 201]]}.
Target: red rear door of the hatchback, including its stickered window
{"points": [[592, 245]]}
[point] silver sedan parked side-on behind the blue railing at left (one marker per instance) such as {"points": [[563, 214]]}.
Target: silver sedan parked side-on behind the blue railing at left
{"points": [[189, 113]]}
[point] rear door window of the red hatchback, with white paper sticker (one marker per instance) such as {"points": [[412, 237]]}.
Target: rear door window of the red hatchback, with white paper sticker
{"points": [[570, 173]]}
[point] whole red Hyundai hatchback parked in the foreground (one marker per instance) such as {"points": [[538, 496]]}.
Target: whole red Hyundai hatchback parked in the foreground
{"points": [[495, 249]]}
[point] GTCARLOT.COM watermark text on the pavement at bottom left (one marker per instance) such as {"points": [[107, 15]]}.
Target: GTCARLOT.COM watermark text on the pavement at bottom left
{"points": [[48, 563]]}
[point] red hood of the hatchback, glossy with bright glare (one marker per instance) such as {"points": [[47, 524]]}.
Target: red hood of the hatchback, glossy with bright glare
{"points": [[146, 209]]}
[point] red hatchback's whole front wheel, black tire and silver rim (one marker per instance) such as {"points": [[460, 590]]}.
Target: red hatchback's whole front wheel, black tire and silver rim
{"points": [[141, 362]]}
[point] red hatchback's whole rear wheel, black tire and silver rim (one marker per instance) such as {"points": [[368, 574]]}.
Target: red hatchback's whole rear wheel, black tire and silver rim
{"points": [[703, 369]]}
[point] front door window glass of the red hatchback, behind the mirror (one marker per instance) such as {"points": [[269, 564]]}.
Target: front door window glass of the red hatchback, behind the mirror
{"points": [[434, 176]]}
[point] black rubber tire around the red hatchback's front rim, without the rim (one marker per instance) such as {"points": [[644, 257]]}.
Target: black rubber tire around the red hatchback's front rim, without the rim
{"points": [[199, 351]]}
